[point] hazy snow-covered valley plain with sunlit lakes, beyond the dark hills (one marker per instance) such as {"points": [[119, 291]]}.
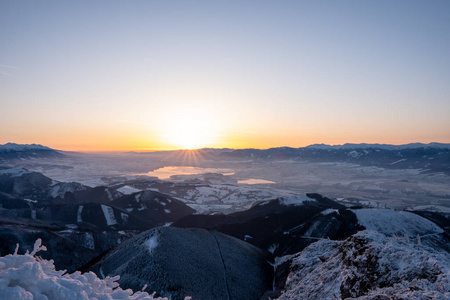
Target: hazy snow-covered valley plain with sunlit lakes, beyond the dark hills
{"points": [[250, 181]]}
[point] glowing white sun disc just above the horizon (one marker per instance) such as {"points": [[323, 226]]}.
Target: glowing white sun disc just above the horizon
{"points": [[189, 129]]}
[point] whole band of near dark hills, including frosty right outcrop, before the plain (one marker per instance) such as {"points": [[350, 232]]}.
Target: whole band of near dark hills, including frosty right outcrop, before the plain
{"points": [[295, 247]]}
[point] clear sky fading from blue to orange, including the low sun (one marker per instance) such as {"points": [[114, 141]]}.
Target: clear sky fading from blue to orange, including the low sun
{"points": [[161, 75]]}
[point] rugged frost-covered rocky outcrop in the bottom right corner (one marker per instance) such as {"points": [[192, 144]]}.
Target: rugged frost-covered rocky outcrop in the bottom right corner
{"points": [[368, 265]]}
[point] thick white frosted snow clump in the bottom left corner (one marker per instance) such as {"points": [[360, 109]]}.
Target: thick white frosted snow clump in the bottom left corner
{"points": [[29, 277]]}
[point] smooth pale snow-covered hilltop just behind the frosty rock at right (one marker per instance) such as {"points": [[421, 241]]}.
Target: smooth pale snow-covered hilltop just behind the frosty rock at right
{"points": [[391, 222]]}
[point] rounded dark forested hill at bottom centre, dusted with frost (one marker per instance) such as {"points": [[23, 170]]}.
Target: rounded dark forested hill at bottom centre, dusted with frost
{"points": [[177, 262]]}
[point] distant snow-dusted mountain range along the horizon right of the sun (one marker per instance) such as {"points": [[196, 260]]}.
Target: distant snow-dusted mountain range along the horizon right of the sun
{"points": [[433, 157]]}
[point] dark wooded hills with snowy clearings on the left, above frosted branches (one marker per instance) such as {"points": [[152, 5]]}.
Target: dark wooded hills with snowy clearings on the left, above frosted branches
{"points": [[79, 222]]}
